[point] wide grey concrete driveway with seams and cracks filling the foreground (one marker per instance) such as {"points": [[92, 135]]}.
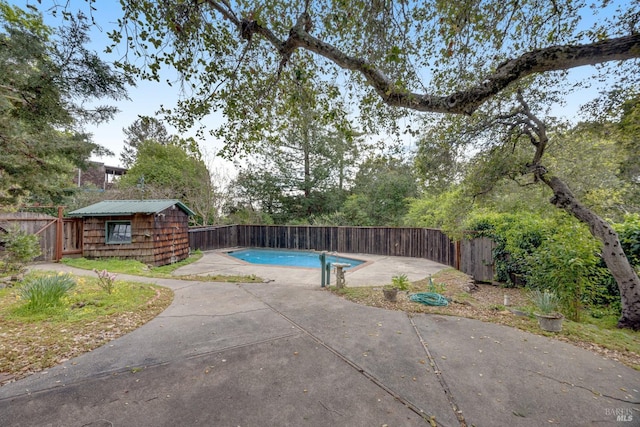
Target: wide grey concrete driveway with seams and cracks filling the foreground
{"points": [[282, 354]]}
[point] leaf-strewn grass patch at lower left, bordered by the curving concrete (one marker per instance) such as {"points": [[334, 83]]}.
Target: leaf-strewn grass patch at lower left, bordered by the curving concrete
{"points": [[88, 318]]}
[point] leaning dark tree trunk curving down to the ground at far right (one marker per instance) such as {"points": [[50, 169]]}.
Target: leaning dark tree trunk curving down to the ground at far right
{"points": [[612, 252]]}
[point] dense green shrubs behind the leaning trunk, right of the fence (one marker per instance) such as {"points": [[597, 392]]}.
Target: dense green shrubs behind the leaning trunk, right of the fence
{"points": [[556, 253]]}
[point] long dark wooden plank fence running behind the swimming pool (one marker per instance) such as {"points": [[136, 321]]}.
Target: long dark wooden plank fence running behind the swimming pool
{"points": [[470, 256]]}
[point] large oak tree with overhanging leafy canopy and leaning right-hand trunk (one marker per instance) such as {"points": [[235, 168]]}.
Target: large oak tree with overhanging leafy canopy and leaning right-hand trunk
{"points": [[393, 57]]}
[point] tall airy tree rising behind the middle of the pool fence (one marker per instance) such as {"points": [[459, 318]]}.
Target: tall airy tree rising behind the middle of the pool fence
{"points": [[302, 171]]}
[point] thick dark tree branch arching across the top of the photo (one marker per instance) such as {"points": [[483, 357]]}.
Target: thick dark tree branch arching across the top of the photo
{"points": [[553, 58]]}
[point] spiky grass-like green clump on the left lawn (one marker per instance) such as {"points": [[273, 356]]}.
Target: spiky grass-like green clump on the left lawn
{"points": [[40, 293]]}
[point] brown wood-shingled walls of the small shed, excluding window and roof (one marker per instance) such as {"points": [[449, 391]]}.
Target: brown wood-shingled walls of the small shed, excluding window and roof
{"points": [[155, 239]]}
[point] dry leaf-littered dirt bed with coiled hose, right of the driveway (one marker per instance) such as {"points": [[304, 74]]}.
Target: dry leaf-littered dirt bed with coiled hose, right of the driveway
{"points": [[478, 301]]}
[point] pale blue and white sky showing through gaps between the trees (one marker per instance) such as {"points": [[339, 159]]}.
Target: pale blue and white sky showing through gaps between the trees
{"points": [[147, 97]]}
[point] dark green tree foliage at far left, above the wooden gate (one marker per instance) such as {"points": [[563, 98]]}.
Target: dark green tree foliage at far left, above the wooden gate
{"points": [[46, 75]]}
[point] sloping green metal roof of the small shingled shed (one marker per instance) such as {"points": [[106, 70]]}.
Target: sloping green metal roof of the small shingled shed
{"points": [[129, 207]]}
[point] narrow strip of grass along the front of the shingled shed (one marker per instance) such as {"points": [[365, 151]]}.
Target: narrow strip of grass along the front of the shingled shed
{"points": [[136, 268]]}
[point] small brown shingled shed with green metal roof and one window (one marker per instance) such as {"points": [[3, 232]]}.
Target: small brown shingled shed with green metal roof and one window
{"points": [[154, 232]]}
